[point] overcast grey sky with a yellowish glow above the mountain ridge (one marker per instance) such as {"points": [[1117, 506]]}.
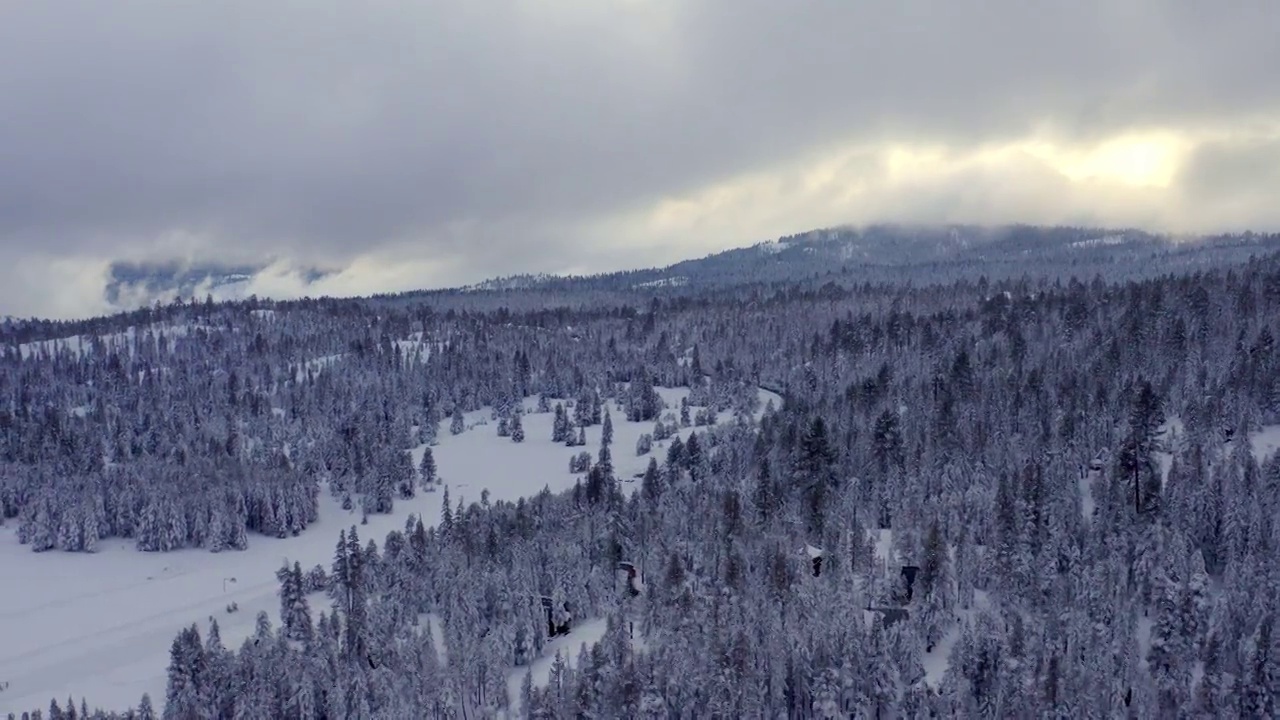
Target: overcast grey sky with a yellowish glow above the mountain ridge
{"points": [[433, 143]]}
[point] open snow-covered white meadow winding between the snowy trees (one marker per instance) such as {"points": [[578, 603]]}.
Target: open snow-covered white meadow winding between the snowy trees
{"points": [[100, 626]]}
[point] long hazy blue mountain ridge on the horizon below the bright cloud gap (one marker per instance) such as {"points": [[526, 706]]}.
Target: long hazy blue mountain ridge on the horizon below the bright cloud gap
{"points": [[906, 253]]}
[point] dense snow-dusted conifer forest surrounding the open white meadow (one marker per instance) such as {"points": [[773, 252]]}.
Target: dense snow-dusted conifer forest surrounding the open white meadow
{"points": [[976, 498]]}
